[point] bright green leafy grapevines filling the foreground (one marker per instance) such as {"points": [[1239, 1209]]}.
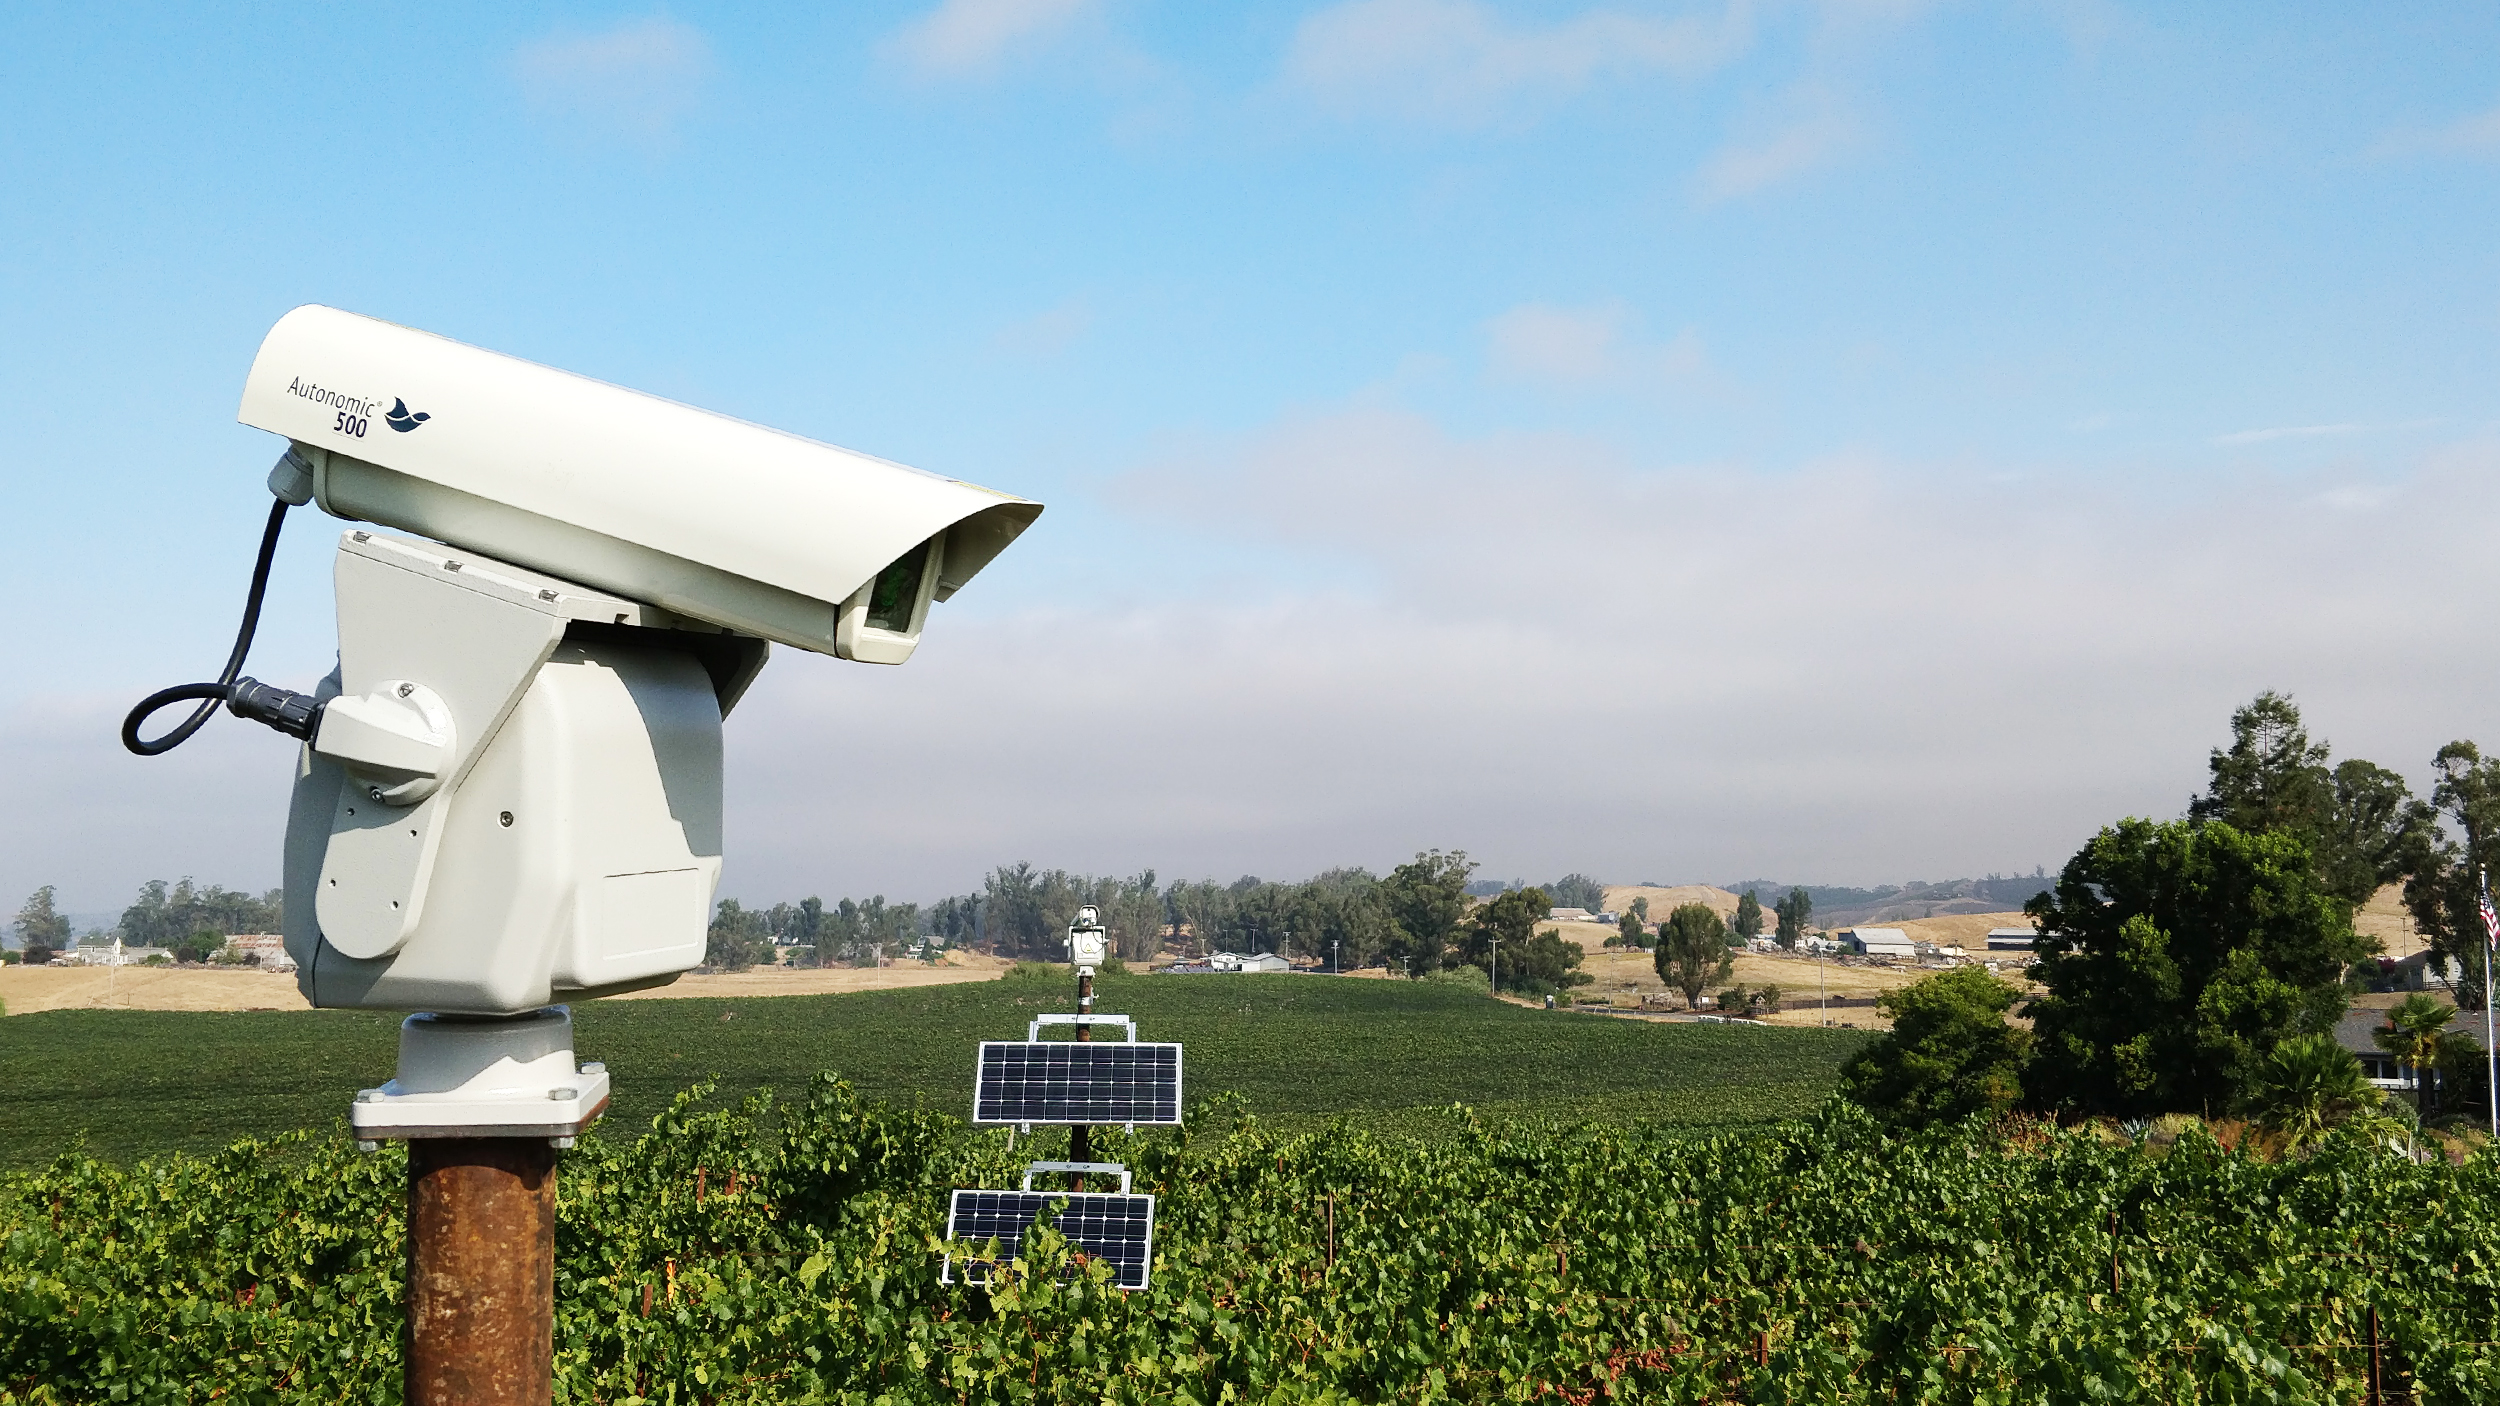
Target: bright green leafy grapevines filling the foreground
{"points": [[791, 1255]]}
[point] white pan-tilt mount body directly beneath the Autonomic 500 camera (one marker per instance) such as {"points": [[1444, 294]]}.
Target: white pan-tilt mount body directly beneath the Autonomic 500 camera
{"points": [[561, 839]]}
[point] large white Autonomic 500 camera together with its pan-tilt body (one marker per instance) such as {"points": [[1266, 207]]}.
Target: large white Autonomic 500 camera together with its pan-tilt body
{"points": [[511, 792]]}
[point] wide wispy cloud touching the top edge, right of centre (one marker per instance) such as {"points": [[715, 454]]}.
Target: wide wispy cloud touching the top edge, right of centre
{"points": [[1461, 61]]}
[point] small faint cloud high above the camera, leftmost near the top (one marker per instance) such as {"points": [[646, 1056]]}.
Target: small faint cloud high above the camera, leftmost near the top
{"points": [[639, 79]]}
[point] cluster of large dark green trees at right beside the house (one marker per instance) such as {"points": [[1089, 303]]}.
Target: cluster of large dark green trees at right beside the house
{"points": [[2204, 964]]}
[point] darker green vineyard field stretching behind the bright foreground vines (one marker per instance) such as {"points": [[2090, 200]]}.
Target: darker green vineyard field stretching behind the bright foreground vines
{"points": [[1294, 1047]]}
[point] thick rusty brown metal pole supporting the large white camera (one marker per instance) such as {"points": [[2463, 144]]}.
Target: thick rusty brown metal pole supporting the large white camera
{"points": [[481, 1272]]}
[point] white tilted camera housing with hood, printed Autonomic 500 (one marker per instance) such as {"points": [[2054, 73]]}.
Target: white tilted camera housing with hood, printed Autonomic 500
{"points": [[709, 517]]}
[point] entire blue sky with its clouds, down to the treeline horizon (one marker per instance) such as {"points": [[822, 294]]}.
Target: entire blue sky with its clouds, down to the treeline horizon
{"points": [[1666, 442]]}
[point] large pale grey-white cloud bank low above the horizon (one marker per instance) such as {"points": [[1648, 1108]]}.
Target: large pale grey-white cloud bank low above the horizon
{"points": [[1544, 649]]}
